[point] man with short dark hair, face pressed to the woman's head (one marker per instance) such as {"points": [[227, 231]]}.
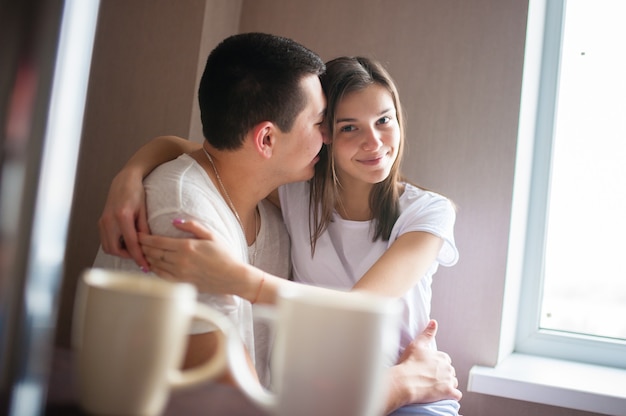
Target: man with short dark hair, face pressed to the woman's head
{"points": [[262, 108]]}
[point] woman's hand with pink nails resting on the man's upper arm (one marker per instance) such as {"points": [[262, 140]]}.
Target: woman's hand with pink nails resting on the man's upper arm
{"points": [[202, 261]]}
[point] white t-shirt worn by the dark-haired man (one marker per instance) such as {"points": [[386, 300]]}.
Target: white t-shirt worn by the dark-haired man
{"points": [[181, 188]]}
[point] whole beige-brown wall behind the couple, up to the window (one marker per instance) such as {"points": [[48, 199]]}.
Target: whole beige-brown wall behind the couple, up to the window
{"points": [[458, 66]]}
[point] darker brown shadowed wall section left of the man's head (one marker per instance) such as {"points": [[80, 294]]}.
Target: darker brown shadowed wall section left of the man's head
{"points": [[143, 84]]}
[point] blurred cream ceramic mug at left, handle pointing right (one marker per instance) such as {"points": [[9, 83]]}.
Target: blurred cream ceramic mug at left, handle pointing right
{"points": [[130, 334]]}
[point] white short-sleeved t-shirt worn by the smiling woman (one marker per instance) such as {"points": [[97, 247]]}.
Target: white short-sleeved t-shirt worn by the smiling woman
{"points": [[345, 251]]}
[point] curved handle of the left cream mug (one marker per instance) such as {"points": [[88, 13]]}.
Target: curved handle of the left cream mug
{"points": [[217, 364]]}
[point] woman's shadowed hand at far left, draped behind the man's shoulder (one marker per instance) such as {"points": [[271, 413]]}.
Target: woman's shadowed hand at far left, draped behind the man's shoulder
{"points": [[123, 216]]}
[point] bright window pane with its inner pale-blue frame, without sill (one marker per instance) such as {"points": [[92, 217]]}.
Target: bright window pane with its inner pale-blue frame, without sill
{"points": [[573, 303]]}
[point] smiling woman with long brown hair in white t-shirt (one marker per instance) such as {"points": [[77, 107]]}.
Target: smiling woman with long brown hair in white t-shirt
{"points": [[356, 225]]}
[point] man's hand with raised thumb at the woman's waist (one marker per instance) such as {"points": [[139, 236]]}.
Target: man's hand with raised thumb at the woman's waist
{"points": [[422, 375]]}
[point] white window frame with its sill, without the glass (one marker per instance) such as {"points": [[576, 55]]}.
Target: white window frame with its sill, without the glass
{"points": [[538, 365]]}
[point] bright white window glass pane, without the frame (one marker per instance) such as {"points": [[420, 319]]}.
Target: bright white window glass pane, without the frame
{"points": [[584, 289]]}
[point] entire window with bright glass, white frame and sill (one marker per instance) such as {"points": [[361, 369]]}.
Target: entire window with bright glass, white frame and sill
{"points": [[565, 279]]}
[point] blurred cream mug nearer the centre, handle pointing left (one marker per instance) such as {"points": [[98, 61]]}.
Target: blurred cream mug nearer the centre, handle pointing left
{"points": [[330, 354]]}
